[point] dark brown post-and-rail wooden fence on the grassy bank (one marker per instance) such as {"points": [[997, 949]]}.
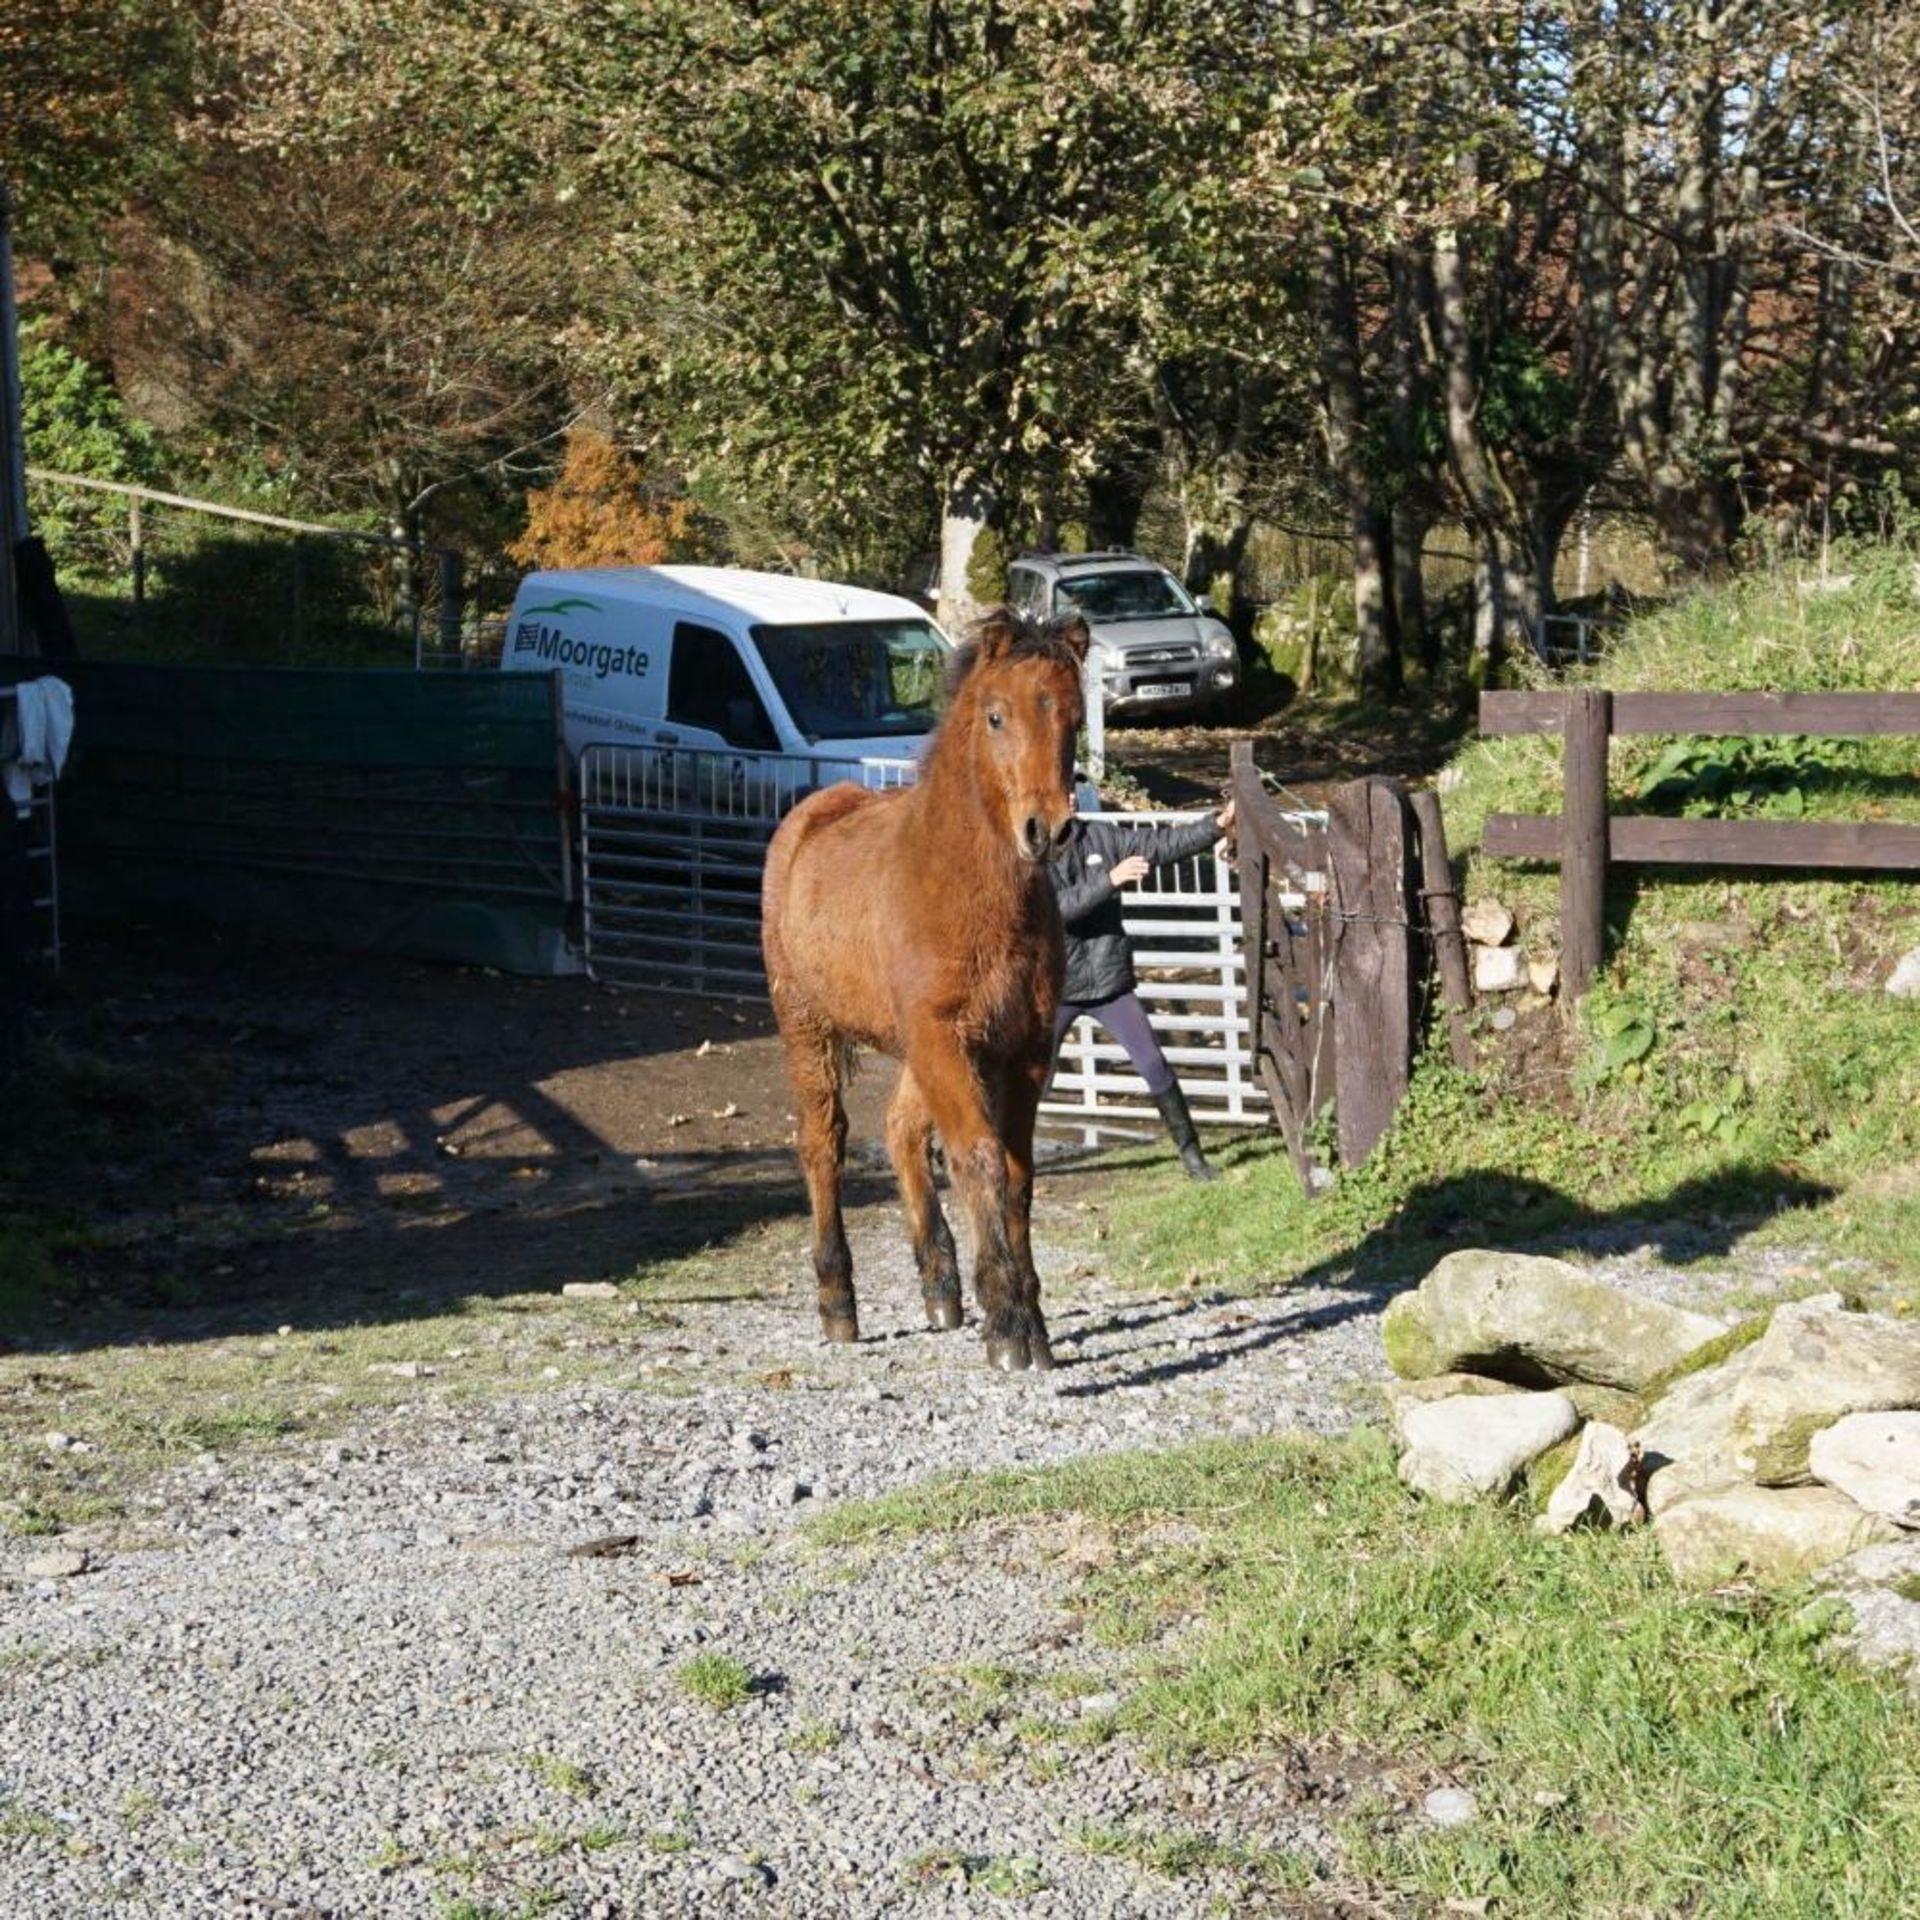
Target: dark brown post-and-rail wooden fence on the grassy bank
{"points": [[1587, 840]]}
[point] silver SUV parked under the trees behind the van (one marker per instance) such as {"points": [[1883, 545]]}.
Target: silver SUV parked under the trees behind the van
{"points": [[1159, 648]]}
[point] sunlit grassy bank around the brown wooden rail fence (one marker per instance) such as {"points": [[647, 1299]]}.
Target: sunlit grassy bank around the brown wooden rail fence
{"points": [[1739, 1067]]}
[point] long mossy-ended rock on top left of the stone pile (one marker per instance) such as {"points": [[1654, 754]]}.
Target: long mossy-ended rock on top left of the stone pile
{"points": [[1537, 1322]]}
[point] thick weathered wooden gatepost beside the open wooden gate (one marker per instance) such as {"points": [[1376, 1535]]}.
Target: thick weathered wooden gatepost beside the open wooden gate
{"points": [[1372, 982]]}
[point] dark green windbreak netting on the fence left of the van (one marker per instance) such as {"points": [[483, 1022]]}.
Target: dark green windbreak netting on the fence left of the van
{"points": [[408, 813]]}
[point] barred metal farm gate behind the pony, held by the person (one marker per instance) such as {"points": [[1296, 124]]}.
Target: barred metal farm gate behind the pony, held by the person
{"points": [[673, 846]]}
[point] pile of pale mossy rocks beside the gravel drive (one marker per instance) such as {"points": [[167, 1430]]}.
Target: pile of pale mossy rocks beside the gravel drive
{"points": [[1769, 1451]]}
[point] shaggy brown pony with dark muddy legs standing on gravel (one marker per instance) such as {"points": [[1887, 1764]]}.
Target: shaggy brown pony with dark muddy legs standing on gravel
{"points": [[923, 924]]}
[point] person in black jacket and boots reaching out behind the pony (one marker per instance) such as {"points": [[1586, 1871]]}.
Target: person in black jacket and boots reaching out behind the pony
{"points": [[1090, 873]]}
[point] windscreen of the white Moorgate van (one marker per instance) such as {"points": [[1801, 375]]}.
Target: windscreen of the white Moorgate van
{"points": [[857, 679]]}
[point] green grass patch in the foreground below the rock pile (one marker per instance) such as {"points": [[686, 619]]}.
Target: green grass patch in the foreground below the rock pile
{"points": [[1692, 1754]]}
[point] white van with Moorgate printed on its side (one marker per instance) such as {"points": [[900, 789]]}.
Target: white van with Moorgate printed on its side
{"points": [[725, 660]]}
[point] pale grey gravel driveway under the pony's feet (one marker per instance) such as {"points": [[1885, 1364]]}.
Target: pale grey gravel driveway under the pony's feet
{"points": [[368, 1677]]}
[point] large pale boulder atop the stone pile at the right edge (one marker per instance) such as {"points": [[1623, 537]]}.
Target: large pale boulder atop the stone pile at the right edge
{"points": [[1815, 1364]]}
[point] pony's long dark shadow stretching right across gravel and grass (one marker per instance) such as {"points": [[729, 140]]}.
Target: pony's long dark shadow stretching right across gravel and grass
{"points": [[1700, 1220]]}
